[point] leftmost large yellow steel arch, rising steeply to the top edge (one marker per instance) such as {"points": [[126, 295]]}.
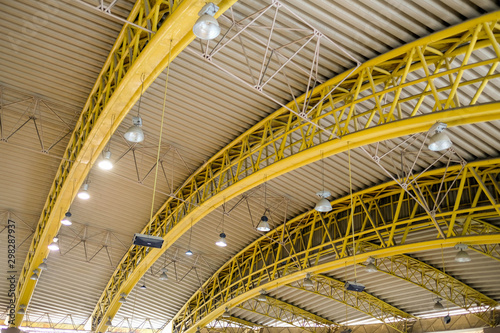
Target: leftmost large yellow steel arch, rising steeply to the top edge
{"points": [[136, 53]]}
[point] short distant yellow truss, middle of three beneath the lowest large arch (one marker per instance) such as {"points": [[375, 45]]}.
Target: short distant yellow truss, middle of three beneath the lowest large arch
{"points": [[361, 301]]}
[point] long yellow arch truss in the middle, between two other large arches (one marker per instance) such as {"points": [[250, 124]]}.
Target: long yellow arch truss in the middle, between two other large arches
{"points": [[377, 102]]}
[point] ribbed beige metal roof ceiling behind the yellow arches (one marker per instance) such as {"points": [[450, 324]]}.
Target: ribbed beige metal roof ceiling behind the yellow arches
{"points": [[52, 53]]}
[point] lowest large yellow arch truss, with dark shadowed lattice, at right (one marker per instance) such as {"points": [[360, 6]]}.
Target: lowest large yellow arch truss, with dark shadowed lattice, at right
{"points": [[318, 243]]}
